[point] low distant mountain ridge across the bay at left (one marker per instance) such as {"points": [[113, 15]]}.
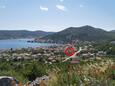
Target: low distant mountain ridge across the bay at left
{"points": [[12, 34]]}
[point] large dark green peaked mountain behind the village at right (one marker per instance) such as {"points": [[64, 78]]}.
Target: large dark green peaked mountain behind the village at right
{"points": [[84, 33]]}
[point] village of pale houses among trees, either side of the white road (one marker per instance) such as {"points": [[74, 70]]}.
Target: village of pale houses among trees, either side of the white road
{"points": [[48, 54]]}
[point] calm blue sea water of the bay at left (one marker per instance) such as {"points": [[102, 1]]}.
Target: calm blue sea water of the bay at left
{"points": [[20, 43]]}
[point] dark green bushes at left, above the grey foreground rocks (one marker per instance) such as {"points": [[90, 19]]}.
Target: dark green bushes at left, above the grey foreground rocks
{"points": [[23, 71]]}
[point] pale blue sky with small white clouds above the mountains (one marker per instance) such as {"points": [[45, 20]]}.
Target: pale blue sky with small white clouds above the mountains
{"points": [[56, 15]]}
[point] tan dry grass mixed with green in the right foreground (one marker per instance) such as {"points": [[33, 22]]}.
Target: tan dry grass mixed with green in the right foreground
{"points": [[95, 72]]}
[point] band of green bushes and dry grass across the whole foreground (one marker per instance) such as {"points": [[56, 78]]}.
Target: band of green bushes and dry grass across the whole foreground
{"points": [[87, 72]]}
